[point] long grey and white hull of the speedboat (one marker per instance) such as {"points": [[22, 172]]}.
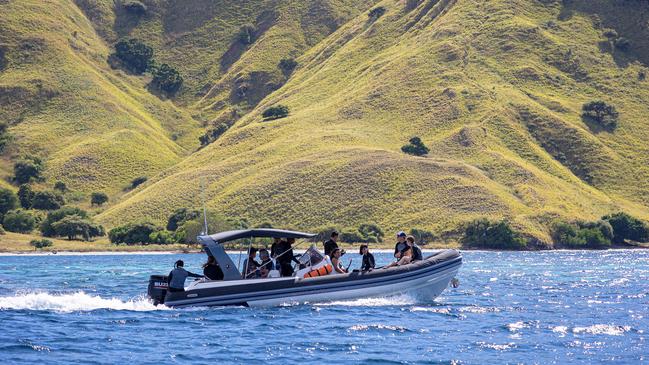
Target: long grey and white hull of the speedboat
{"points": [[424, 280]]}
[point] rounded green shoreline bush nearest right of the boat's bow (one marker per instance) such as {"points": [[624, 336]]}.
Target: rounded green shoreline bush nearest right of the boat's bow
{"points": [[482, 233]]}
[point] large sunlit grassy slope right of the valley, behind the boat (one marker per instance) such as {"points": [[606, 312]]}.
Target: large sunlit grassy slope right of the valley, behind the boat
{"points": [[494, 88]]}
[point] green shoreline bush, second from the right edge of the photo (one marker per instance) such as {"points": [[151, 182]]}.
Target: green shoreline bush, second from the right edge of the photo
{"points": [[581, 234]]}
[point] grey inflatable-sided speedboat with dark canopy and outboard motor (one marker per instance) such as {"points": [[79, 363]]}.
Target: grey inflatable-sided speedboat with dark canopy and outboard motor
{"points": [[312, 283]]}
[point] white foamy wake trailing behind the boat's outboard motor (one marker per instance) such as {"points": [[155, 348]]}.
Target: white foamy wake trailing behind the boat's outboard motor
{"points": [[74, 302]]}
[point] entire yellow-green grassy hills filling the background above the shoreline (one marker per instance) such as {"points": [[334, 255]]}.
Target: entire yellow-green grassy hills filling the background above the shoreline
{"points": [[495, 90]]}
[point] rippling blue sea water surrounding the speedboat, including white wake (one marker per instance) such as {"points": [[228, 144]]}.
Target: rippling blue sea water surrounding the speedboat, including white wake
{"points": [[528, 307]]}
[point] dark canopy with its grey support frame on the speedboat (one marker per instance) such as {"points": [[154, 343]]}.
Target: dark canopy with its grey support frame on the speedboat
{"points": [[213, 245]]}
